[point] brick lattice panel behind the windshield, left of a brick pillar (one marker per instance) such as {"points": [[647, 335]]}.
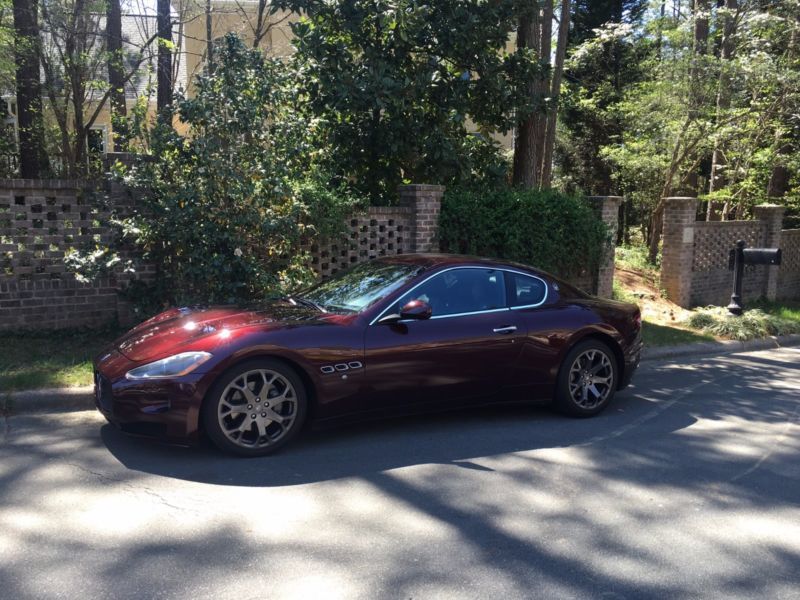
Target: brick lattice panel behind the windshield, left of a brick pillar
{"points": [[381, 231]]}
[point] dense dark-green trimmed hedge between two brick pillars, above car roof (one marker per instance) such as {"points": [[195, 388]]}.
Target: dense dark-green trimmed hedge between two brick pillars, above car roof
{"points": [[547, 229]]}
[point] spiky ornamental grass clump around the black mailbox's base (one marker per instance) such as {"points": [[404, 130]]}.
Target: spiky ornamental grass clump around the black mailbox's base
{"points": [[756, 323]]}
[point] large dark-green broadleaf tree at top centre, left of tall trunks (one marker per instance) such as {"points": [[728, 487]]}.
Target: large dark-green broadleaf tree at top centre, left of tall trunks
{"points": [[393, 85]]}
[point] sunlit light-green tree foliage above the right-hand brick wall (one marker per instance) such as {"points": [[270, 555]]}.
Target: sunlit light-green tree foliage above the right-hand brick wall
{"points": [[645, 107]]}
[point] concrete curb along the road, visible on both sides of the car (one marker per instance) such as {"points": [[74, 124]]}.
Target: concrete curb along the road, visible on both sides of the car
{"points": [[82, 398]]}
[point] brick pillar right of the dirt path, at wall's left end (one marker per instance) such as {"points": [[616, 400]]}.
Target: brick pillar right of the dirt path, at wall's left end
{"points": [[678, 249]]}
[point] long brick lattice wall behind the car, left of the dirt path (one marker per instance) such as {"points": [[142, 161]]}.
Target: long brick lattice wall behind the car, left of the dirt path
{"points": [[40, 220]]}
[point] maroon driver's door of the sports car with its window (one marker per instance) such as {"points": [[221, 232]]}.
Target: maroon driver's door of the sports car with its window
{"points": [[465, 351]]}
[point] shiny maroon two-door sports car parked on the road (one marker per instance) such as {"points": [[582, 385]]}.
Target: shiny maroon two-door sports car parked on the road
{"points": [[394, 335]]}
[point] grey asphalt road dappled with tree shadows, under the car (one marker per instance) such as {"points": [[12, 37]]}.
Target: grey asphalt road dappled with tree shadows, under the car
{"points": [[688, 486]]}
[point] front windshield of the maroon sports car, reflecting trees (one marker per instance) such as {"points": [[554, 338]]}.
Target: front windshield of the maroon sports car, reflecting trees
{"points": [[360, 287]]}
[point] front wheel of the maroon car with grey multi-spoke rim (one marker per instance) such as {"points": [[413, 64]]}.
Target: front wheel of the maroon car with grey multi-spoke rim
{"points": [[259, 433]]}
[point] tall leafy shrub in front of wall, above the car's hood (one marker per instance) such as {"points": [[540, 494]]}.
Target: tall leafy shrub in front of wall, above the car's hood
{"points": [[226, 207]]}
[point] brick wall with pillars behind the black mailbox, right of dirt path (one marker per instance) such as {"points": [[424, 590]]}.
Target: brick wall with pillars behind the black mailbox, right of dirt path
{"points": [[694, 266]]}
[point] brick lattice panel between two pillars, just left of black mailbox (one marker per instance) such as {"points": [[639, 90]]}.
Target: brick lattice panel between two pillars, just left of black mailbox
{"points": [[714, 240]]}
